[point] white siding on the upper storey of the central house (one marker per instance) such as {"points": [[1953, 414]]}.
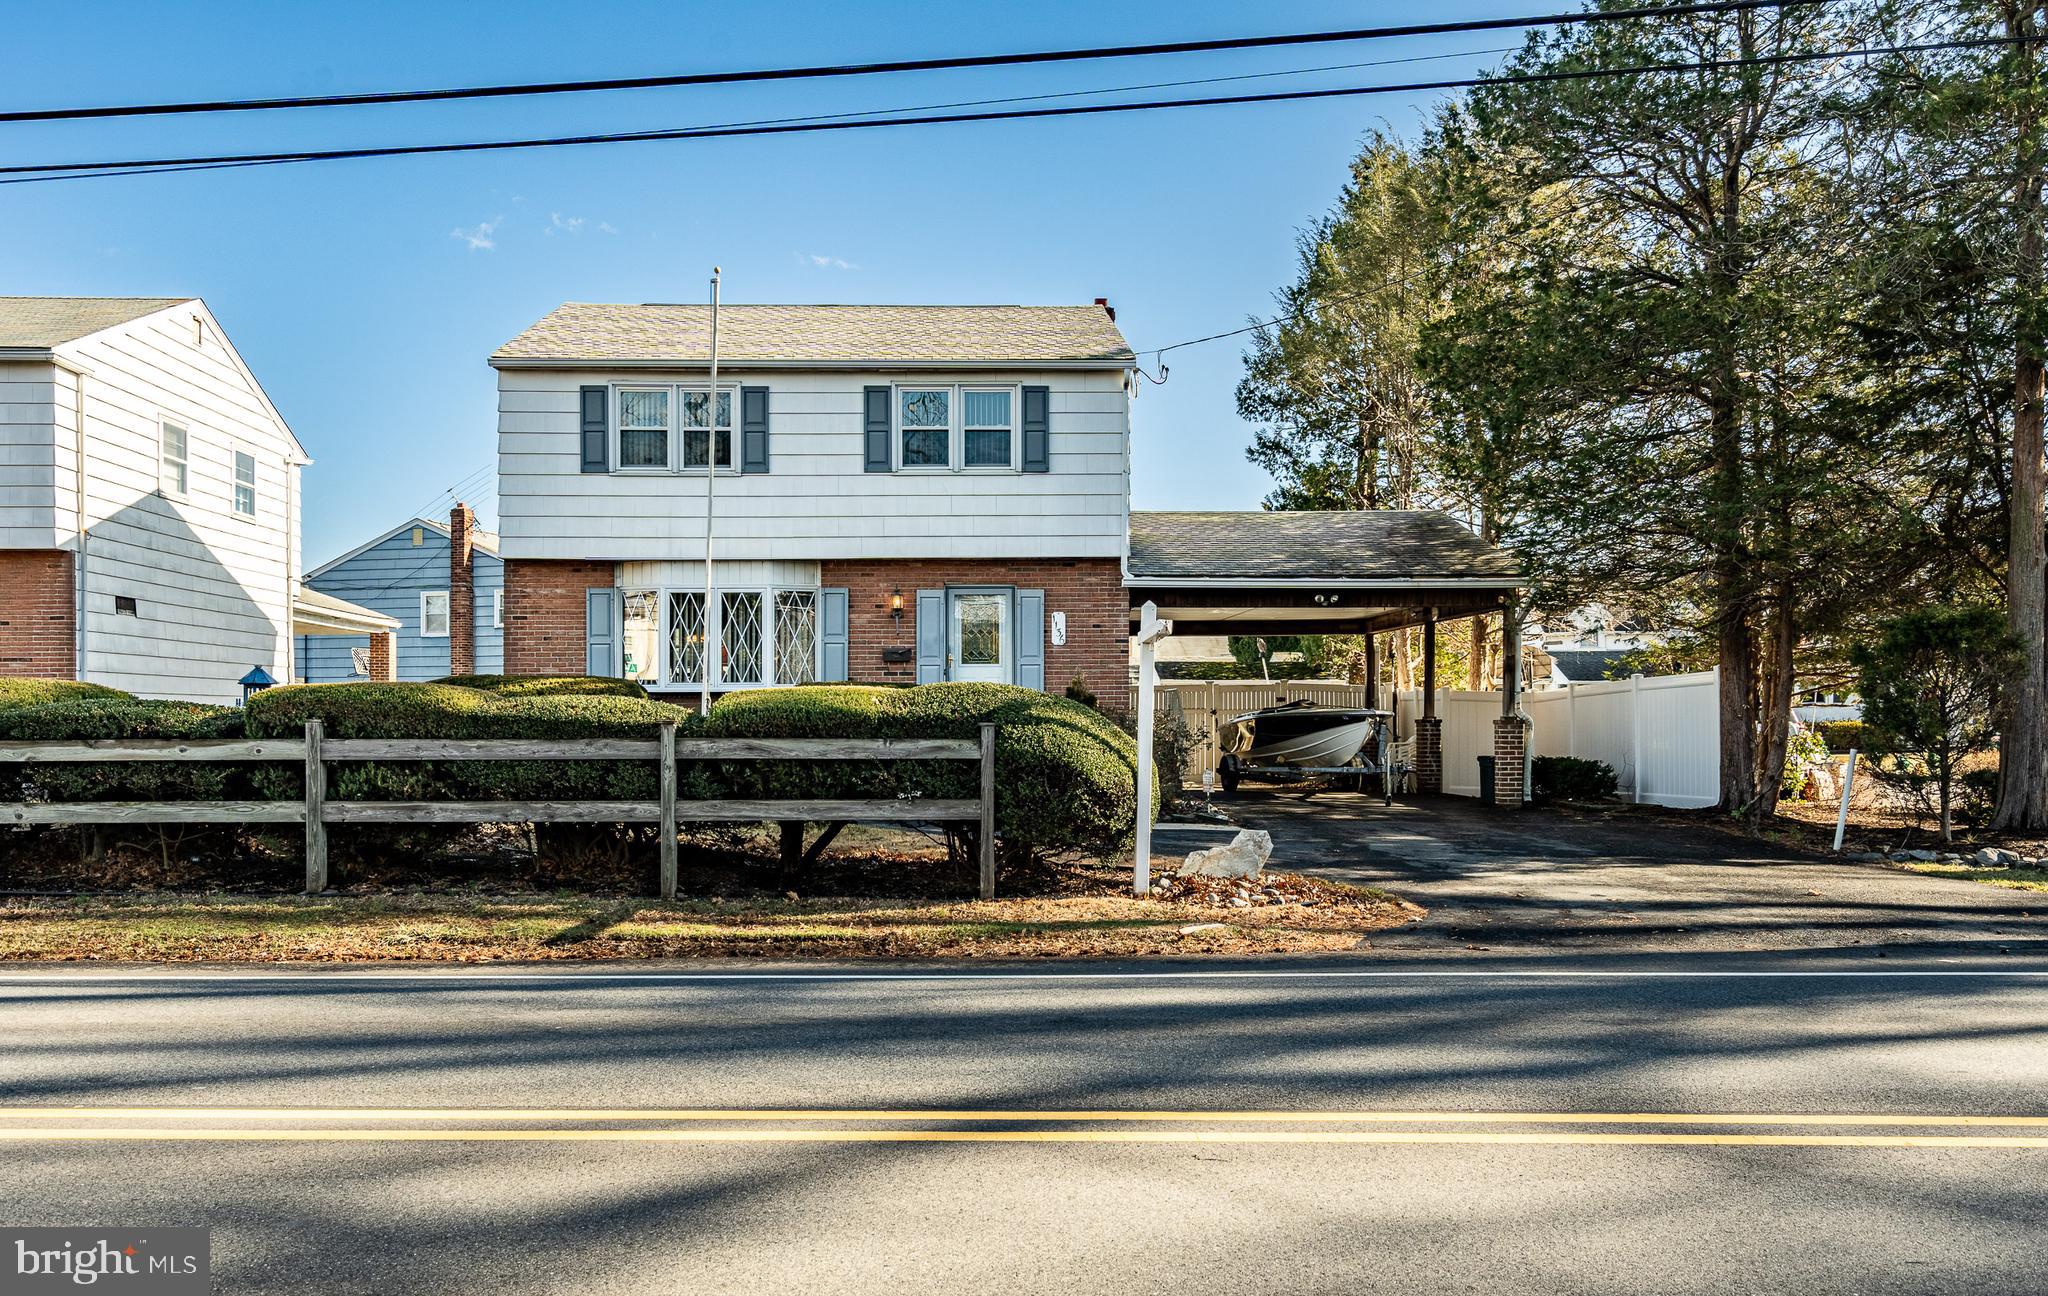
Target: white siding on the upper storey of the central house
{"points": [[818, 503]]}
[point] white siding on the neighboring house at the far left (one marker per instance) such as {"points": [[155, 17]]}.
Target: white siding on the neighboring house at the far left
{"points": [[212, 589]]}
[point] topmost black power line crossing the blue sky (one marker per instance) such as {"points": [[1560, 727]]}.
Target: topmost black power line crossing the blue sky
{"points": [[884, 69]]}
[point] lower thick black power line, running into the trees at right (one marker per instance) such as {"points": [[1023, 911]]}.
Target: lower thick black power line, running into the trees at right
{"points": [[26, 173]]}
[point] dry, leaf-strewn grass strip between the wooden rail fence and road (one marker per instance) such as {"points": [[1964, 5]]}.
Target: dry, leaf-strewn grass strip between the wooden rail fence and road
{"points": [[484, 928]]}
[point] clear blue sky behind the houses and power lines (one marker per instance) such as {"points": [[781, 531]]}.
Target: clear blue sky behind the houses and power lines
{"points": [[368, 294]]}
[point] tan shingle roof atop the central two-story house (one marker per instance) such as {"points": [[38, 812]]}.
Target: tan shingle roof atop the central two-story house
{"points": [[826, 335]]}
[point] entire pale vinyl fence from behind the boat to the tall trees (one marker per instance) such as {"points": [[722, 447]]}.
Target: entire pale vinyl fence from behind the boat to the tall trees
{"points": [[1660, 734]]}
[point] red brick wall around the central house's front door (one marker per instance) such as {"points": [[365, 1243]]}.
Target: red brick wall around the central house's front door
{"points": [[1089, 591]]}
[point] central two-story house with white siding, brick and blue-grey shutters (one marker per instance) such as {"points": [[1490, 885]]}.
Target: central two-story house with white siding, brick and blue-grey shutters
{"points": [[892, 494]]}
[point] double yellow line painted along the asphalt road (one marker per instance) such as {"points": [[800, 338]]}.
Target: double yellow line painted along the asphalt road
{"points": [[857, 1125]]}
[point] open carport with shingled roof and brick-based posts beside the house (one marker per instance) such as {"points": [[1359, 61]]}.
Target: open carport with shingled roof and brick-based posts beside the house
{"points": [[1320, 574]]}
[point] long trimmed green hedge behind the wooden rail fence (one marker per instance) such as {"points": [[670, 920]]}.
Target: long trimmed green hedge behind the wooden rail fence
{"points": [[1064, 771]]}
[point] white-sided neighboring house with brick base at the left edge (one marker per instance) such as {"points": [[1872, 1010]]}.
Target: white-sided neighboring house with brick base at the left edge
{"points": [[148, 503]]}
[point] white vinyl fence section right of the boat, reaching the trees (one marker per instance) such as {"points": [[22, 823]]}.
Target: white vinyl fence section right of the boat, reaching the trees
{"points": [[1662, 734]]}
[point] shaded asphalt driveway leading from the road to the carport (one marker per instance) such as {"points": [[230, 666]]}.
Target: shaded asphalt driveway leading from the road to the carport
{"points": [[1625, 879]]}
